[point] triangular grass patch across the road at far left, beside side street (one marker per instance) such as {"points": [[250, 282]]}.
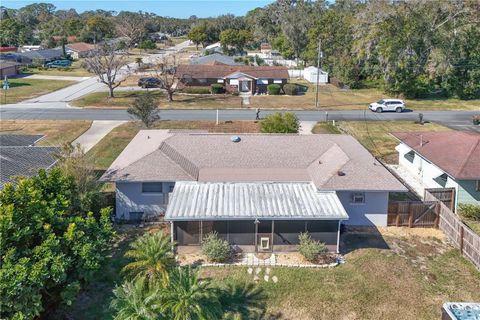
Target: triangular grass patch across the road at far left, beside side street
{"points": [[23, 89]]}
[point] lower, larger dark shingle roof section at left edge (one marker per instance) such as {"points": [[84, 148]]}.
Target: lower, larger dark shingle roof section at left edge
{"points": [[25, 161]]}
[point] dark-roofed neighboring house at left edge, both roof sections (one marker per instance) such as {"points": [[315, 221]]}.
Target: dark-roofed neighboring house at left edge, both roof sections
{"points": [[20, 157]]}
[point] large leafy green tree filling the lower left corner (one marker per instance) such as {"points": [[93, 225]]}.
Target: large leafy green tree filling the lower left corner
{"points": [[48, 248]]}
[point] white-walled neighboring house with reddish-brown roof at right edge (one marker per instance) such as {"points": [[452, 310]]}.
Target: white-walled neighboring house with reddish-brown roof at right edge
{"points": [[449, 159]]}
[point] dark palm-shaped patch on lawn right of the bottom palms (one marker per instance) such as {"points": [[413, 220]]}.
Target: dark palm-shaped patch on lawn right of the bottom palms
{"points": [[242, 301]]}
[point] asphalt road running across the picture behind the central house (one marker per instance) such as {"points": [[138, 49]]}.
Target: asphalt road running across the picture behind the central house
{"points": [[459, 120]]}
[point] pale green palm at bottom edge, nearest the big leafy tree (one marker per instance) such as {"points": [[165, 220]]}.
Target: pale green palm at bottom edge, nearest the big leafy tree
{"points": [[135, 300]]}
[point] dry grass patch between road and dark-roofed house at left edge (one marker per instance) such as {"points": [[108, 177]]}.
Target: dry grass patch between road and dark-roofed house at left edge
{"points": [[56, 131]]}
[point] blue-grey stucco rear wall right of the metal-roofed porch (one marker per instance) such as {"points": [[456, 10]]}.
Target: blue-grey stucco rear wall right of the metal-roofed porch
{"points": [[373, 212]]}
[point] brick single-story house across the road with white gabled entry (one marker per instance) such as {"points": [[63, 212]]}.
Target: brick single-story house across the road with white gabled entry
{"points": [[245, 79]]}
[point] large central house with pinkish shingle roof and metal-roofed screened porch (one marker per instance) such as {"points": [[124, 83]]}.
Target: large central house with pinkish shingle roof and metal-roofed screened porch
{"points": [[258, 191]]}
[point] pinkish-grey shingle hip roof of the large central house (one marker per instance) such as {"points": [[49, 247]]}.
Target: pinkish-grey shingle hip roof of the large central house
{"points": [[331, 162]]}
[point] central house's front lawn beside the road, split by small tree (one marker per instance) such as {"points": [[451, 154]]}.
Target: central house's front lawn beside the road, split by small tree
{"points": [[114, 142]]}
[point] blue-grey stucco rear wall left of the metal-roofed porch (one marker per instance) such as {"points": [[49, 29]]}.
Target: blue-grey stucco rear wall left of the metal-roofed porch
{"points": [[130, 198]]}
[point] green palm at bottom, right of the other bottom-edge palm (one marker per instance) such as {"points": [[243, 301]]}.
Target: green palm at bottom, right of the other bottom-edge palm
{"points": [[189, 298]]}
